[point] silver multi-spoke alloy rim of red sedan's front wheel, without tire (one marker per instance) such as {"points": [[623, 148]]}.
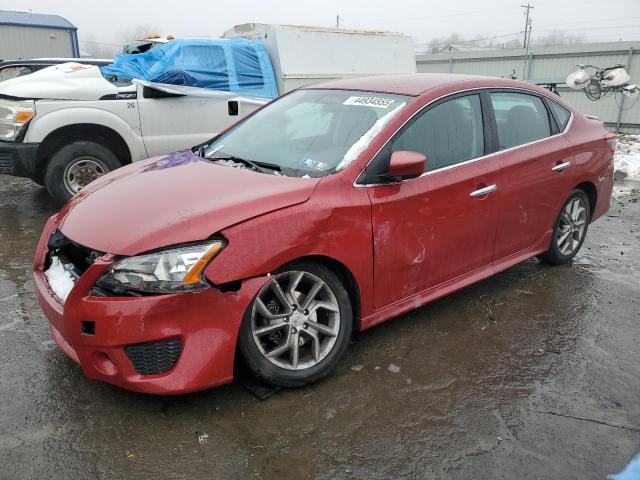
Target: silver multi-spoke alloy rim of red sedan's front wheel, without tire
{"points": [[295, 320]]}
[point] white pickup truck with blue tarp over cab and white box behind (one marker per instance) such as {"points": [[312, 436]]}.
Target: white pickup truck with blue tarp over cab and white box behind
{"points": [[66, 125]]}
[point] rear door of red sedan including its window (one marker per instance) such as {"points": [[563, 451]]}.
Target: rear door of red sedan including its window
{"points": [[535, 160]]}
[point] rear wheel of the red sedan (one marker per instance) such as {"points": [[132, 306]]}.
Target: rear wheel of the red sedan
{"points": [[570, 229]]}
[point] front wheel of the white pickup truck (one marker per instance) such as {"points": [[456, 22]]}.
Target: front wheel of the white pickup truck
{"points": [[76, 165]]}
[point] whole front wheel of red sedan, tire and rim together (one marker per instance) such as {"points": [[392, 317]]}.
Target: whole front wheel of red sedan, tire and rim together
{"points": [[297, 327]]}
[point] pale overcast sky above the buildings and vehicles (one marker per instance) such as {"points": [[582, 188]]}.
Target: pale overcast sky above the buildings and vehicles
{"points": [[109, 21]]}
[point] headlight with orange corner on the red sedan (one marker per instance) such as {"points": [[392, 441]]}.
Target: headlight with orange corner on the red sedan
{"points": [[177, 269]]}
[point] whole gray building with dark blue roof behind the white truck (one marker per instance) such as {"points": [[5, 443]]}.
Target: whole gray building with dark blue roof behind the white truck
{"points": [[26, 35]]}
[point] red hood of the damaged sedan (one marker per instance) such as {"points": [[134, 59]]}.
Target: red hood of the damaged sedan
{"points": [[171, 200]]}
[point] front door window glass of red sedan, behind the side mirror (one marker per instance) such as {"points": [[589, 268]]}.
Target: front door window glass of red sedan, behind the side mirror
{"points": [[448, 133]]}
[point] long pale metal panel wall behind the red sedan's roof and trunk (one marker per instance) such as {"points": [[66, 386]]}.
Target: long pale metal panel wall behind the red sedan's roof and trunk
{"points": [[553, 64]]}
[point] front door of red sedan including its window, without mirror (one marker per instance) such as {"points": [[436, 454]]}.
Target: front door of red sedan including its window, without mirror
{"points": [[434, 228]]}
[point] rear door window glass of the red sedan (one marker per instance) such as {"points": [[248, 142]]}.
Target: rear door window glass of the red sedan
{"points": [[520, 118]]}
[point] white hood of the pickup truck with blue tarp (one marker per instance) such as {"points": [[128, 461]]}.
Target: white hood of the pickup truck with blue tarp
{"points": [[67, 81]]}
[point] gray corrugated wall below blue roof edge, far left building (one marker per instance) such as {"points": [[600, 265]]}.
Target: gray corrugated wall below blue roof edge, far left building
{"points": [[34, 42]]}
